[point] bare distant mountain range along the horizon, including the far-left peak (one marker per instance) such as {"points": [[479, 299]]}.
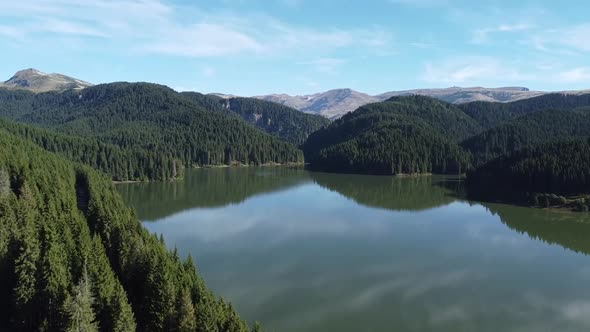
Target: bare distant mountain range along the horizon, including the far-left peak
{"points": [[330, 104]]}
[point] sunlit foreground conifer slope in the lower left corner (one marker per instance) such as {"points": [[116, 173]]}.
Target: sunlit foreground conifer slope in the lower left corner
{"points": [[73, 257]]}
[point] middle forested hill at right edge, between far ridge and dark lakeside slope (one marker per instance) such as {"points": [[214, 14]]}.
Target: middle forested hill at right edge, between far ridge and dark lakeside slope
{"points": [[526, 131]]}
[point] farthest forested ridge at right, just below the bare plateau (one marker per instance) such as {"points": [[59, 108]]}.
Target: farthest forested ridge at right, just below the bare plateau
{"points": [[490, 115]]}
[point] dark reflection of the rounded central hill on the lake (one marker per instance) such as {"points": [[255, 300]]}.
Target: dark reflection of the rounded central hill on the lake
{"points": [[390, 192]]}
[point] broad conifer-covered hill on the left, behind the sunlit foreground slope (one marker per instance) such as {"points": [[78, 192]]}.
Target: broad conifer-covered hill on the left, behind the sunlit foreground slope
{"points": [[150, 117]]}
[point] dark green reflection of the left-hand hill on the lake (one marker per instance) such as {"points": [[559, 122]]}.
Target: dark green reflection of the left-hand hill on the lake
{"points": [[207, 188]]}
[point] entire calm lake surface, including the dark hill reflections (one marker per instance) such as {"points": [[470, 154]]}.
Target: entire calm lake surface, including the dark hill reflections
{"points": [[302, 251]]}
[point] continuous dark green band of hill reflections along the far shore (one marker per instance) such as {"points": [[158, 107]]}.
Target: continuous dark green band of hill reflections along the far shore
{"points": [[206, 188]]}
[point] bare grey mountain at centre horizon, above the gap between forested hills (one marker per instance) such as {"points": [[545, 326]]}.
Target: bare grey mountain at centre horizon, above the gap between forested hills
{"points": [[331, 104]]}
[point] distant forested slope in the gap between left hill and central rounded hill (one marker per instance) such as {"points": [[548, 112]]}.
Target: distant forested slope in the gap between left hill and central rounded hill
{"points": [[284, 122]]}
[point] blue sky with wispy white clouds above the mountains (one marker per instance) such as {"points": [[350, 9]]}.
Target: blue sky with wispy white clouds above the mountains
{"points": [[254, 47]]}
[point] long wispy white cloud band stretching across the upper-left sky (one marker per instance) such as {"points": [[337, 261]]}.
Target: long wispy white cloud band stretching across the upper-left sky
{"points": [[156, 27]]}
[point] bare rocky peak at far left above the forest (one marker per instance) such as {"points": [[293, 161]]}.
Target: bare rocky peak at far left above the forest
{"points": [[37, 81]]}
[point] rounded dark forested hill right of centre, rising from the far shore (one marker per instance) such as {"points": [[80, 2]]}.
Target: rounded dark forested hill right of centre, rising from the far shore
{"points": [[404, 135]]}
